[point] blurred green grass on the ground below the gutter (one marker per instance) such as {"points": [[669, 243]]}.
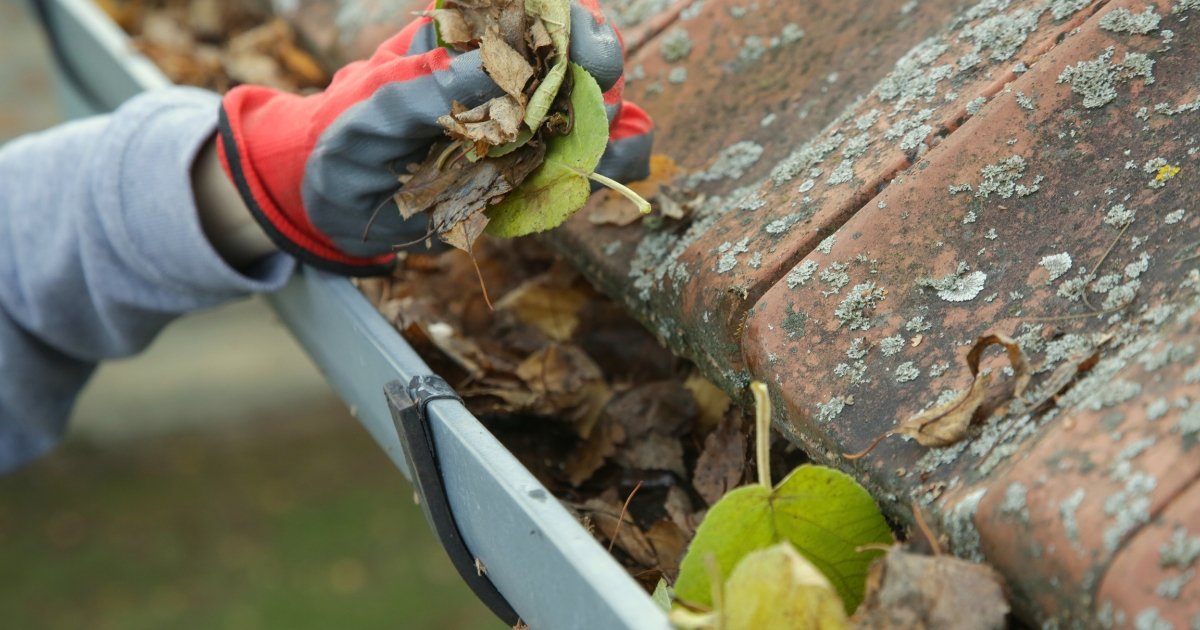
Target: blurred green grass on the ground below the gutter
{"points": [[284, 526]]}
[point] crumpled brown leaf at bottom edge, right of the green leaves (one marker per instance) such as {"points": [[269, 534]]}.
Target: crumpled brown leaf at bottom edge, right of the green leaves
{"points": [[933, 592]]}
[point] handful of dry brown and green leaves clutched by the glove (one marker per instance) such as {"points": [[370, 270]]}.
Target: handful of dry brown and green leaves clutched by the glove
{"points": [[521, 163]]}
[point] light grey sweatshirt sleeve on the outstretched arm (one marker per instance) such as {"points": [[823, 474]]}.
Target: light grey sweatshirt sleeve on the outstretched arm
{"points": [[101, 248]]}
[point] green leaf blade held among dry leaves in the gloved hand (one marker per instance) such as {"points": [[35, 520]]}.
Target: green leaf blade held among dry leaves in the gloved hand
{"points": [[560, 187]]}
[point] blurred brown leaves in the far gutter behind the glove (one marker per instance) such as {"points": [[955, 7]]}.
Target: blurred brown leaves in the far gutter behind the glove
{"points": [[219, 44]]}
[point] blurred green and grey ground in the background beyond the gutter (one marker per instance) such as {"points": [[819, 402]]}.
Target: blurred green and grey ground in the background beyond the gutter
{"points": [[213, 482]]}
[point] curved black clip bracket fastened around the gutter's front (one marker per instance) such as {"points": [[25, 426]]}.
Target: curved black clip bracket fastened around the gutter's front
{"points": [[409, 405]]}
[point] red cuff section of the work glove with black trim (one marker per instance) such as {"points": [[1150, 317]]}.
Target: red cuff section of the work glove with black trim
{"points": [[274, 197]]}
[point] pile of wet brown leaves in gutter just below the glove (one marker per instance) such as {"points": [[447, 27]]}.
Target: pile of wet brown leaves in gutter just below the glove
{"points": [[580, 392]]}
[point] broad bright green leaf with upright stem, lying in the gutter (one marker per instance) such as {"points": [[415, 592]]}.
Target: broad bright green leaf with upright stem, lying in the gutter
{"points": [[821, 512]]}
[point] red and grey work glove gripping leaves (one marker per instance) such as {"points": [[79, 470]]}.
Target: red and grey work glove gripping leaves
{"points": [[314, 170]]}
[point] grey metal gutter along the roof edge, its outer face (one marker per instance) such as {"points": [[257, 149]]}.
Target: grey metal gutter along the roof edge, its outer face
{"points": [[537, 555]]}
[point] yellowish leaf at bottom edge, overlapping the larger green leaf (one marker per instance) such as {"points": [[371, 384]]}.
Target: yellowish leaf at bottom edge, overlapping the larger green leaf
{"points": [[779, 590]]}
